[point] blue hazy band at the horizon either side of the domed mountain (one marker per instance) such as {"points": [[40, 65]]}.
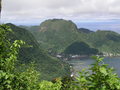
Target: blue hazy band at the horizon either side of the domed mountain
{"points": [[112, 25]]}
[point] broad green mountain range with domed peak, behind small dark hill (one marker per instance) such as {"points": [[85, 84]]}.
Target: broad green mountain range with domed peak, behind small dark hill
{"points": [[57, 35]]}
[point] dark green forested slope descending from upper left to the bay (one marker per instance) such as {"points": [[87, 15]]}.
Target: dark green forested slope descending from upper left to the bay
{"points": [[49, 67]]}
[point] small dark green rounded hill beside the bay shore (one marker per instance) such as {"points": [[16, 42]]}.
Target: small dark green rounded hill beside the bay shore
{"points": [[80, 48]]}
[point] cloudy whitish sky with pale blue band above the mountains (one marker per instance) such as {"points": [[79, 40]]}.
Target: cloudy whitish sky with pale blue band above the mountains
{"points": [[82, 12]]}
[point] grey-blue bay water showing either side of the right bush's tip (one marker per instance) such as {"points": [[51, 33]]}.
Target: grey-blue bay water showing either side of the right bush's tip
{"points": [[85, 63]]}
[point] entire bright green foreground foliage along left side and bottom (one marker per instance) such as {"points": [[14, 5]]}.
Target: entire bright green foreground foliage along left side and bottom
{"points": [[100, 76]]}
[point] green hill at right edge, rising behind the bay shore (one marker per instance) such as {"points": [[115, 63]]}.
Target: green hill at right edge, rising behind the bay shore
{"points": [[107, 42]]}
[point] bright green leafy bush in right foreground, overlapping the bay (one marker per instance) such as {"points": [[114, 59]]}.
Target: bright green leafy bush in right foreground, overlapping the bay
{"points": [[100, 77]]}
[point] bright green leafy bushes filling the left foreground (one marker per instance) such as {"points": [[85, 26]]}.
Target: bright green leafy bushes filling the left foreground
{"points": [[12, 79]]}
